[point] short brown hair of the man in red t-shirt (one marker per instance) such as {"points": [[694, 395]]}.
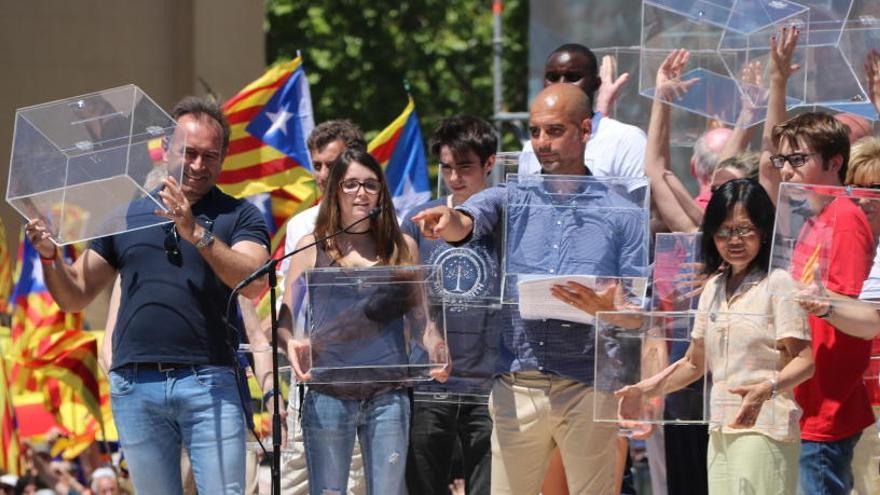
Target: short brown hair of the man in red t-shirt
{"points": [[821, 132]]}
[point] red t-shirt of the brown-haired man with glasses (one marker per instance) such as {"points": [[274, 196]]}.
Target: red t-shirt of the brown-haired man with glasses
{"points": [[835, 401]]}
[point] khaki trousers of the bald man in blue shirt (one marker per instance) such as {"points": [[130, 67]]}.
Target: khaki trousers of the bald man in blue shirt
{"points": [[534, 412]]}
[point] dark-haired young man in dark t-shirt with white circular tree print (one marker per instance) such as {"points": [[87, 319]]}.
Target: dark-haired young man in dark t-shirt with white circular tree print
{"points": [[454, 415]]}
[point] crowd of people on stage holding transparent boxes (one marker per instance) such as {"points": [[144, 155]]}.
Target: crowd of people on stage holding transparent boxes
{"points": [[511, 412]]}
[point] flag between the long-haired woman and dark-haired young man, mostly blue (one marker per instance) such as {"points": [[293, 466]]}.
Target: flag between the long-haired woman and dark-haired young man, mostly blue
{"points": [[401, 151]]}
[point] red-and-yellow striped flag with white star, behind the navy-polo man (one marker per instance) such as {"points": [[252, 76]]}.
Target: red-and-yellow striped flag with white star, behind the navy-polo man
{"points": [[270, 120]]}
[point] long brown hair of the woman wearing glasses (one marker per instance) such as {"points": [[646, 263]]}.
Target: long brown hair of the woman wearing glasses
{"points": [[391, 247]]}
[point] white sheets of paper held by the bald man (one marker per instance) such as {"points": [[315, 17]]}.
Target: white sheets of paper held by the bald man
{"points": [[536, 302]]}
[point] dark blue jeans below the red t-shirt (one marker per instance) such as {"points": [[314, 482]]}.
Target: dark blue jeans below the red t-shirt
{"points": [[826, 467]]}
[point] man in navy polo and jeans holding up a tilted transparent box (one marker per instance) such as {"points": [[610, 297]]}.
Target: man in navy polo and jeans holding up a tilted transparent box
{"points": [[172, 379]]}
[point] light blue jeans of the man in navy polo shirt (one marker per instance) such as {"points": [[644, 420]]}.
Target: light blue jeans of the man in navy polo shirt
{"points": [[157, 412]]}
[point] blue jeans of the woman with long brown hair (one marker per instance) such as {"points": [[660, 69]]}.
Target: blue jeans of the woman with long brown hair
{"points": [[329, 429]]}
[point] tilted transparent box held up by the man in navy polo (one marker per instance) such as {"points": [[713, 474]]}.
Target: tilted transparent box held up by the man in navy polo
{"points": [[92, 165]]}
